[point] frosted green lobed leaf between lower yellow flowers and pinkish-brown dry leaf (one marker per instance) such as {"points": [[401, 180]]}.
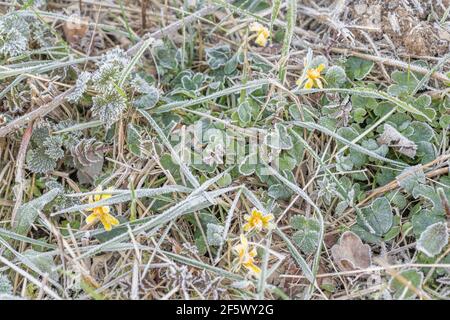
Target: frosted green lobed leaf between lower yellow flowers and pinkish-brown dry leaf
{"points": [[308, 233]]}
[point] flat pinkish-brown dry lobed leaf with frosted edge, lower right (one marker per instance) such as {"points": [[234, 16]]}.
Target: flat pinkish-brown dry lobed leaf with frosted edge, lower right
{"points": [[351, 254]]}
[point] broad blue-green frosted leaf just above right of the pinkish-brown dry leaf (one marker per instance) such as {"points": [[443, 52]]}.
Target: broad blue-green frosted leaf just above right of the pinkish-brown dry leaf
{"points": [[377, 218]]}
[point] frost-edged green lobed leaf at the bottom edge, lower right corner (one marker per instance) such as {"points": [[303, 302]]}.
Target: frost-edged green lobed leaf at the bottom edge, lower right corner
{"points": [[402, 291]]}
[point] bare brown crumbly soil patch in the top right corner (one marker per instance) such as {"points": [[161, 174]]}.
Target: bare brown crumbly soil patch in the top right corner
{"points": [[411, 25]]}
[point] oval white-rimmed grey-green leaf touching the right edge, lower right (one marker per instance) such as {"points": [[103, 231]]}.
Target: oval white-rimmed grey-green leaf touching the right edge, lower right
{"points": [[433, 239]]}
